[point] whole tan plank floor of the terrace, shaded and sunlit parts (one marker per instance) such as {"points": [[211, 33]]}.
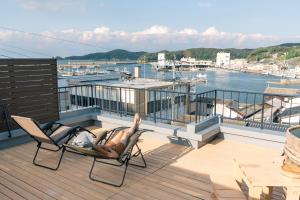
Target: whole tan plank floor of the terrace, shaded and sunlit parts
{"points": [[173, 172]]}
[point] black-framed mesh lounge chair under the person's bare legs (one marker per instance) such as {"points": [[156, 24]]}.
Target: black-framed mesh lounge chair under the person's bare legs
{"points": [[123, 159]]}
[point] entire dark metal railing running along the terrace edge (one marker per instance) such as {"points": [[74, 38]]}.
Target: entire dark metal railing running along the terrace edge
{"points": [[260, 110]]}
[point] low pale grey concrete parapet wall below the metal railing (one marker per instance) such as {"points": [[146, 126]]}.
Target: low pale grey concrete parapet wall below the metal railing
{"points": [[194, 135]]}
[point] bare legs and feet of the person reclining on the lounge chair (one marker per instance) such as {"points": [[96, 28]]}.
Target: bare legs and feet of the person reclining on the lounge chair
{"points": [[115, 147]]}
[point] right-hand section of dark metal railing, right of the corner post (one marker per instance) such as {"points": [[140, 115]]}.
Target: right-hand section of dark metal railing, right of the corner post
{"points": [[260, 110]]}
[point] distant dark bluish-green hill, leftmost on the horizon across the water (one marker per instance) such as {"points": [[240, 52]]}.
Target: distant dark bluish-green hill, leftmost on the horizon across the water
{"points": [[118, 54]]}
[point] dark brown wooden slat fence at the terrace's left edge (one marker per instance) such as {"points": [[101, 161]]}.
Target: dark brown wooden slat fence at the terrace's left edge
{"points": [[28, 87]]}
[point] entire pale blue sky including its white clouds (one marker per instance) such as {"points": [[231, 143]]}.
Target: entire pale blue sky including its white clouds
{"points": [[44, 28]]}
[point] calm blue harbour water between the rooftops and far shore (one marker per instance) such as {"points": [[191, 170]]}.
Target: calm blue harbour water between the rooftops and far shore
{"points": [[216, 78]]}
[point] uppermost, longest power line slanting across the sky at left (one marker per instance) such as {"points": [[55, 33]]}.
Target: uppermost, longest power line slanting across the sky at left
{"points": [[52, 37]]}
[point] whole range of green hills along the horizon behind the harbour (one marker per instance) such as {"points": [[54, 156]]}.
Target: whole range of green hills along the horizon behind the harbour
{"points": [[288, 51]]}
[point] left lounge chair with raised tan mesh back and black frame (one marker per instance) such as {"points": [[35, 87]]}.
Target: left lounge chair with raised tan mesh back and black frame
{"points": [[53, 133]]}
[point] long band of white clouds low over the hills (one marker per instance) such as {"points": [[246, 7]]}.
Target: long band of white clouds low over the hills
{"points": [[154, 38]]}
